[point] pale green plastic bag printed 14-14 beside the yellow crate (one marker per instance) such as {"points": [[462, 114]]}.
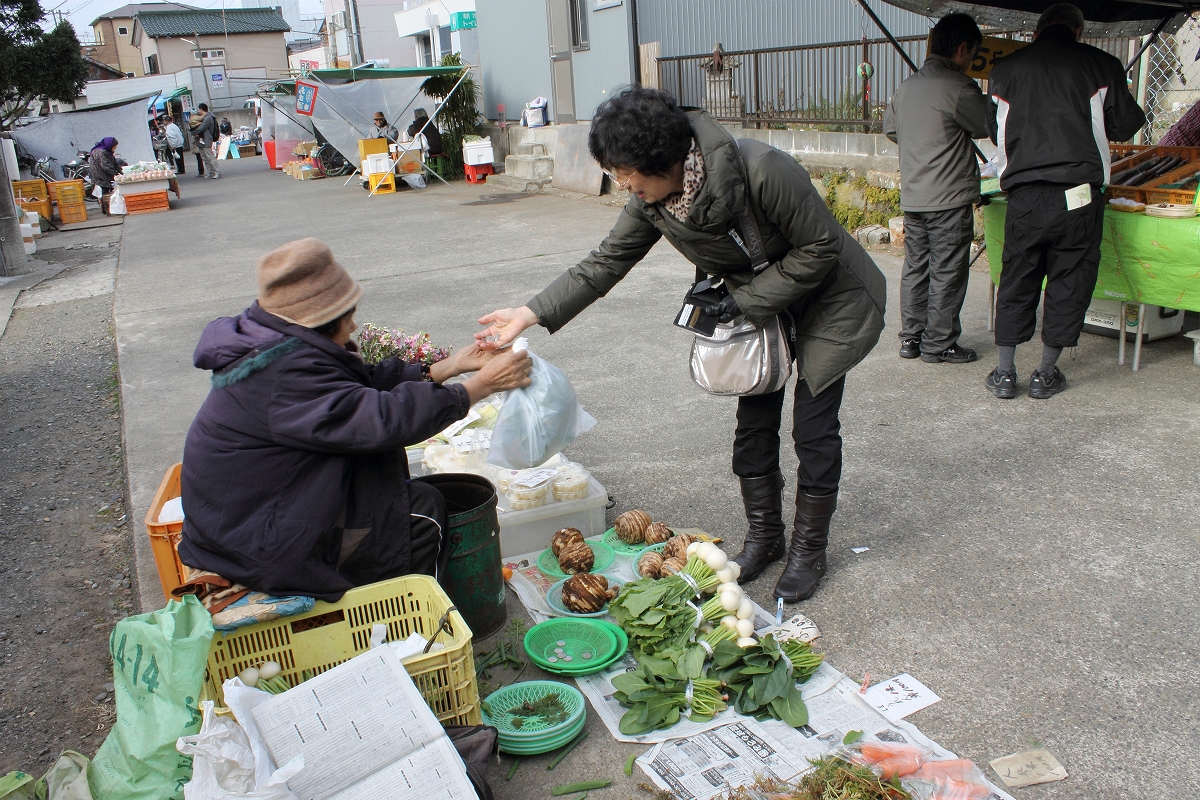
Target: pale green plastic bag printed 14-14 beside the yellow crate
{"points": [[159, 661]]}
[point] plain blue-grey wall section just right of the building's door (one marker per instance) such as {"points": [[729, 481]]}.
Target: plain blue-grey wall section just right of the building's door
{"points": [[609, 64]]}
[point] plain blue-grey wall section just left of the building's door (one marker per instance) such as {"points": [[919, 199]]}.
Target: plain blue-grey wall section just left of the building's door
{"points": [[514, 55]]}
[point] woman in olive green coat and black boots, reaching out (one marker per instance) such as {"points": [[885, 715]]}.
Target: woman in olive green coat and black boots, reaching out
{"points": [[689, 181]]}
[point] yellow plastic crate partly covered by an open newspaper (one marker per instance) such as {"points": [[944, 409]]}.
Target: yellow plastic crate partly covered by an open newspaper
{"points": [[335, 633]]}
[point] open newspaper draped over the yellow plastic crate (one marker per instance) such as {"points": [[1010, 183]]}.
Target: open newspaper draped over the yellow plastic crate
{"points": [[365, 732]]}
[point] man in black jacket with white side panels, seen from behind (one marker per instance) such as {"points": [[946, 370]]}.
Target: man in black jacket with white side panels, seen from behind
{"points": [[1059, 104]]}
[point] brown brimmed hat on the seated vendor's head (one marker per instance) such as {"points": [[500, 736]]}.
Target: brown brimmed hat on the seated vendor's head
{"points": [[301, 282]]}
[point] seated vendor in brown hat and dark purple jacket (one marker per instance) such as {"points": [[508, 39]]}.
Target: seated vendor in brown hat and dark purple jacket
{"points": [[296, 479]]}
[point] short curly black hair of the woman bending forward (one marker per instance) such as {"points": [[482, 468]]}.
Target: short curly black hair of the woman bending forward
{"points": [[643, 129]]}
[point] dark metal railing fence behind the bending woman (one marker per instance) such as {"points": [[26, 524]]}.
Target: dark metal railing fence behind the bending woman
{"points": [[817, 85]]}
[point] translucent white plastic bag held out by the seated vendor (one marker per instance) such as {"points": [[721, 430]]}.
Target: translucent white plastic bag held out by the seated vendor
{"points": [[538, 422]]}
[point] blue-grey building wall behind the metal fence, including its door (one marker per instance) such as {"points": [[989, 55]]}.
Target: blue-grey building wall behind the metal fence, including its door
{"points": [[577, 53]]}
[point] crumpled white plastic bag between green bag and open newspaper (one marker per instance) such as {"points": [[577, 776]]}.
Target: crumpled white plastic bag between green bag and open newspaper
{"points": [[224, 766]]}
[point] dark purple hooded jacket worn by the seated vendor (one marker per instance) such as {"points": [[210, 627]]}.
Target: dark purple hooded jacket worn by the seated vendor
{"points": [[298, 442]]}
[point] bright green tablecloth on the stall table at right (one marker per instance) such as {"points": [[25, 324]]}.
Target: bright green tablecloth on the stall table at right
{"points": [[1143, 260]]}
